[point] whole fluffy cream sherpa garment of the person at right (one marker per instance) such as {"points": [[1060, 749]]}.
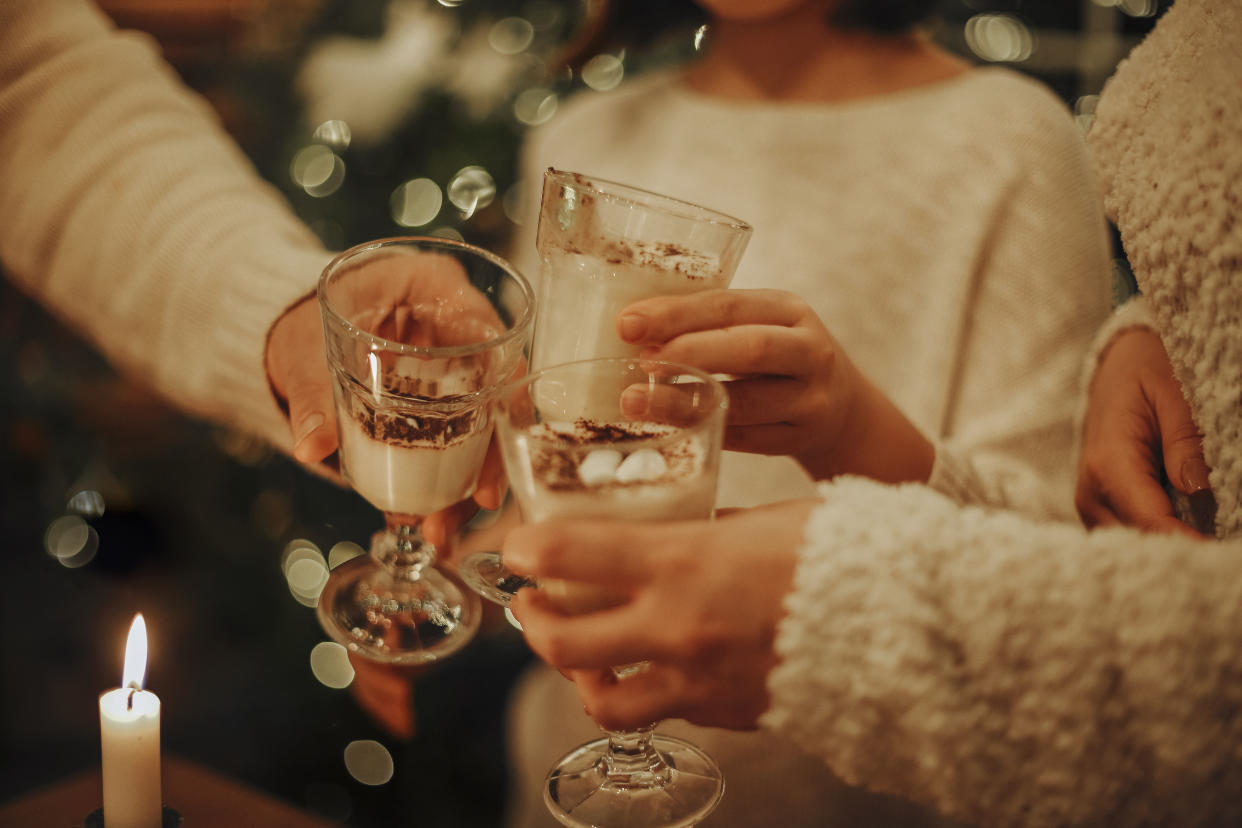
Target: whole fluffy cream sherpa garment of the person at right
{"points": [[1013, 673]]}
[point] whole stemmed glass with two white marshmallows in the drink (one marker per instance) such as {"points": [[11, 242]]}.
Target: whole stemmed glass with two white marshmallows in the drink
{"points": [[651, 452]]}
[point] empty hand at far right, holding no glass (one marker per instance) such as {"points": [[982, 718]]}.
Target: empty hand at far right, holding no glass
{"points": [[1138, 430]]}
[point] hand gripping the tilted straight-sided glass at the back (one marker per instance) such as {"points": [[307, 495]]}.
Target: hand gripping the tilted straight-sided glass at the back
{"points": [[793, 389]]}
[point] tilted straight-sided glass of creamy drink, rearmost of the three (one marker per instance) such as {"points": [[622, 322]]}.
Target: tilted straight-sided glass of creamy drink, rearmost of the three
{"points": [[603, 246]]}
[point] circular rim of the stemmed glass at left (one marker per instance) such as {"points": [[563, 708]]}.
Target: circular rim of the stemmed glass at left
{"points": [[433, 352]]}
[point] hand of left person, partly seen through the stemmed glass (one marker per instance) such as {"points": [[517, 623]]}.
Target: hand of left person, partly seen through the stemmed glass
{"points": [[420, 306]]}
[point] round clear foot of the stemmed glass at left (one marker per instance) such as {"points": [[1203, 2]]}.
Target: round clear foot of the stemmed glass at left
{"points": [[397, 621]]}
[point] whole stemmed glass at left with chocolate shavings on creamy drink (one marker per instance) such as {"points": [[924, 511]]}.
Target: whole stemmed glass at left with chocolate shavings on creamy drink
{"points": [[420, 333]]}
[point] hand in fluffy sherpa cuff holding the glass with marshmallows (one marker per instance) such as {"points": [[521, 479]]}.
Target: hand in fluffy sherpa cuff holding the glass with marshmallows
{"points": [[700, 601]]}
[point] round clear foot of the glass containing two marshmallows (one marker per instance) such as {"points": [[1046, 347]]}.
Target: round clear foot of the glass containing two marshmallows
{"points": [[681, 790]]}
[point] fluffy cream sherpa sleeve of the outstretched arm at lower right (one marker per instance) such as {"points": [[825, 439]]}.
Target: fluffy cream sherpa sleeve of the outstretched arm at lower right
{"points": [[1014, 673]]}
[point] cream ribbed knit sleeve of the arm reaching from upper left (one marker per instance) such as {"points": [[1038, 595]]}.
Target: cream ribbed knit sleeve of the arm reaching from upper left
{"points": [[135, 218]]}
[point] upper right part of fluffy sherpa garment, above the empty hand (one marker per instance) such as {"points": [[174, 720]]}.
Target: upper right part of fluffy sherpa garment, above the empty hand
{"points": [[1168, 147]]}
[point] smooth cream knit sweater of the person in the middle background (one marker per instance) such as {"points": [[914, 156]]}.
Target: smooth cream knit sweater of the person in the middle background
{"points": [[952, 240]]}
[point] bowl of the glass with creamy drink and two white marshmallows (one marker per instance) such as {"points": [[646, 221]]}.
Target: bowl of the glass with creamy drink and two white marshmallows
{"points": [[609, 460]]}
